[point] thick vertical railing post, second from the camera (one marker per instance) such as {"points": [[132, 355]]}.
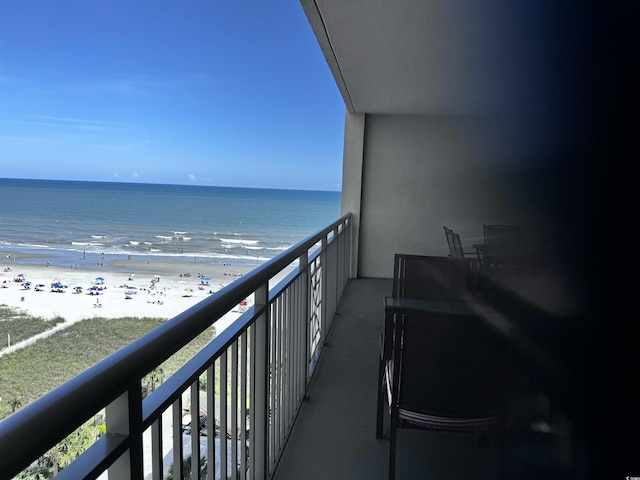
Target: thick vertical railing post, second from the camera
{"points": [[261, 363]]}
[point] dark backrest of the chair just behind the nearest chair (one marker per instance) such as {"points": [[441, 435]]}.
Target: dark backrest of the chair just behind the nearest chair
{"points": [[429, 278]]}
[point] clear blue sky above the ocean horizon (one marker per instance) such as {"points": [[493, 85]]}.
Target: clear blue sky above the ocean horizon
{"points": [[205, 92]]}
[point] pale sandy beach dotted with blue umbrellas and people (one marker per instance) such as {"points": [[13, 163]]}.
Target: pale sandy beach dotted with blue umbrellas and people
{"points": [[160, 289]]}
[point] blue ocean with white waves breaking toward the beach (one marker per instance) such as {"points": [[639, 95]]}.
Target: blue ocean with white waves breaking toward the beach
{"points": [[79, 223]]}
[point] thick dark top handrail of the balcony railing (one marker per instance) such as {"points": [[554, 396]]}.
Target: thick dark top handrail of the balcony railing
{"points": [[31, 431]]}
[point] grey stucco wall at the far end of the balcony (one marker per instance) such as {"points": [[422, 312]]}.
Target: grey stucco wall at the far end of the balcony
{"points": [[422, 172]]}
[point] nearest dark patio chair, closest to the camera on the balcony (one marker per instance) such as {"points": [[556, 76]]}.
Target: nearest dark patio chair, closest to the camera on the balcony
{"points": [[447, 373]]}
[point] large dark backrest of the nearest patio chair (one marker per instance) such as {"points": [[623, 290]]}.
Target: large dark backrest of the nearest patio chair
{"points": [[452, 366]]}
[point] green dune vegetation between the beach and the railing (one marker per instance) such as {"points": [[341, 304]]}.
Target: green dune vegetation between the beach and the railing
{"points": [[30, 372]]}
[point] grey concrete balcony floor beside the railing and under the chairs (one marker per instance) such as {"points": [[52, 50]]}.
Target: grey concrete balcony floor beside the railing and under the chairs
{"points": [[334, 434]]}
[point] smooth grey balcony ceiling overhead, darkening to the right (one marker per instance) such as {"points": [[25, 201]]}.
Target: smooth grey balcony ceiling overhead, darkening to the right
{"points": [[454, 57]]}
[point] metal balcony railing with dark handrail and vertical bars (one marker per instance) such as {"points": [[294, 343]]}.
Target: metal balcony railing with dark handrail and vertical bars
{"points": [[261, 366]]}
